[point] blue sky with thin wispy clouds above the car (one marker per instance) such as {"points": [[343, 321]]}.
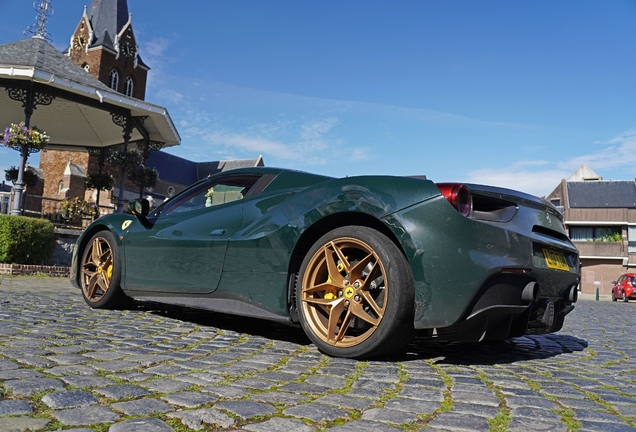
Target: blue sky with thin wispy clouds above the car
{"points": [[509, 93]]}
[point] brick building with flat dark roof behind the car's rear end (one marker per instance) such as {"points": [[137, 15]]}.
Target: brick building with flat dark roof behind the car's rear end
{"points": [[600, 217]]}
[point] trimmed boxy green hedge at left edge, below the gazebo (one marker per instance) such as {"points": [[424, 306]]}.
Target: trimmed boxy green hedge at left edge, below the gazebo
{"points": [[25, 240]]}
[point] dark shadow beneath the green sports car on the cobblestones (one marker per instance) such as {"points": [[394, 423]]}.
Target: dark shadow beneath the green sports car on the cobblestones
{"points": [[524, 348]]}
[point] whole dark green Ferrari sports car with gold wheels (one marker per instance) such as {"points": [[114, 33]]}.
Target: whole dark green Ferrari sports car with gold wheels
{"points": [[361, 263]]}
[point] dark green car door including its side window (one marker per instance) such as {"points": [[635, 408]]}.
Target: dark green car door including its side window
{"points": [[184, 249]]}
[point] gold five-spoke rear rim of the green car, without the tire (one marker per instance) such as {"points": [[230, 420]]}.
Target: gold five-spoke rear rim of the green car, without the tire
{"points": [[343, 292]]}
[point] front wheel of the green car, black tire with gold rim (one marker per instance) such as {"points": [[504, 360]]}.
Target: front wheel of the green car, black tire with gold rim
{"points": [[101, 273]]}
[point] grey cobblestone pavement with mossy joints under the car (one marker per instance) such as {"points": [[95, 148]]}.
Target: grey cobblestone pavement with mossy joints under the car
{"points": [[64, 366]]}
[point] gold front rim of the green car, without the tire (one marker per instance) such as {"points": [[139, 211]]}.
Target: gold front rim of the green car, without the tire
{"points": [[97, 269]]}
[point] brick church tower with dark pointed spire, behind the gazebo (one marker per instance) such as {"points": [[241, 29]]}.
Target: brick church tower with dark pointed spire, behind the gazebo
{"points": [[104, 44]]}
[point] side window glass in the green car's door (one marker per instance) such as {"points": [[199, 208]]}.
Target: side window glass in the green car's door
{"points": [[212, 193]]}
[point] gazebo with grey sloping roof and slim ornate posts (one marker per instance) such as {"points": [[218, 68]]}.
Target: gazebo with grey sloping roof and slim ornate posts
{"points": [[78, 112]]}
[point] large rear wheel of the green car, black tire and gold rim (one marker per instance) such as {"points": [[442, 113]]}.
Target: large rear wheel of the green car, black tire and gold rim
{"points": [[356, 275]]}
